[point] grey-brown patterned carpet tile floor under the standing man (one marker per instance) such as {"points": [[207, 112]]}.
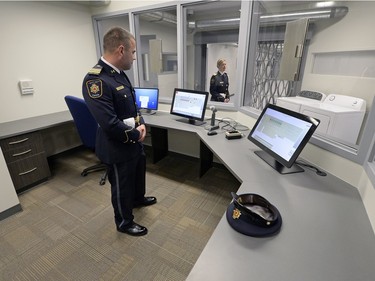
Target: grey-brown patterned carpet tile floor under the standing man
{"points": [[66, 229]]}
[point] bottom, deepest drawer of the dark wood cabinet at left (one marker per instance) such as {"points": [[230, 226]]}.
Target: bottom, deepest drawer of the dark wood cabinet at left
{"points": [[29, 170]]}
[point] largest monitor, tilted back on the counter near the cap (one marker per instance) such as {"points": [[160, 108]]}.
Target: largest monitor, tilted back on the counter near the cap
{"points": [[282, 134]]}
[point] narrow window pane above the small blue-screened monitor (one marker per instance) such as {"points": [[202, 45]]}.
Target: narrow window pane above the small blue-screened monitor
{"points": [[156, 33]]}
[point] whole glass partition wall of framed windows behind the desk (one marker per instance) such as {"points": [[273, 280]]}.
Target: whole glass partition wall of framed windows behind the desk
{"points": [[273, 50]]}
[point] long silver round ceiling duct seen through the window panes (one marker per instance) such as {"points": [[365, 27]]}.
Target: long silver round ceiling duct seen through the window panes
{"points": [[266, 19]]}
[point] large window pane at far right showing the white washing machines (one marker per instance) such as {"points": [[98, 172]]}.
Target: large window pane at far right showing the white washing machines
{"points": [[291, 52]]}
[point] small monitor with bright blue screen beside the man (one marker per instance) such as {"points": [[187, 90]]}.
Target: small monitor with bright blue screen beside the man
{"points": [[147, 99]]}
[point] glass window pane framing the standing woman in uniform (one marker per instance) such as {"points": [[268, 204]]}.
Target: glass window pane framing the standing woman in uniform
{"points": [[211, 33]]}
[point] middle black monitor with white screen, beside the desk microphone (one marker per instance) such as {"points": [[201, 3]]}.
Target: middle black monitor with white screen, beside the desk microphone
{"points": [[190, 104]]}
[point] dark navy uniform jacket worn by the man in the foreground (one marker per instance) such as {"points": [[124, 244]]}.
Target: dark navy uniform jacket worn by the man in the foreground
{"points": [[110, 98]]}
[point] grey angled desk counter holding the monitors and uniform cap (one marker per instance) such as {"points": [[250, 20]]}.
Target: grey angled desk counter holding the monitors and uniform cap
{"points": [[326, 233]]}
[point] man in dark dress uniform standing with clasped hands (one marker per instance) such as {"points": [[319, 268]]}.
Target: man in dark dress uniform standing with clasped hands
{"points": [[110, 98]]}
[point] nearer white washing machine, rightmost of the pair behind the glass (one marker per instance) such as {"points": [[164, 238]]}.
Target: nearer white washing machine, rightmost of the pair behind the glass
{"points": [[340, 116]]}
